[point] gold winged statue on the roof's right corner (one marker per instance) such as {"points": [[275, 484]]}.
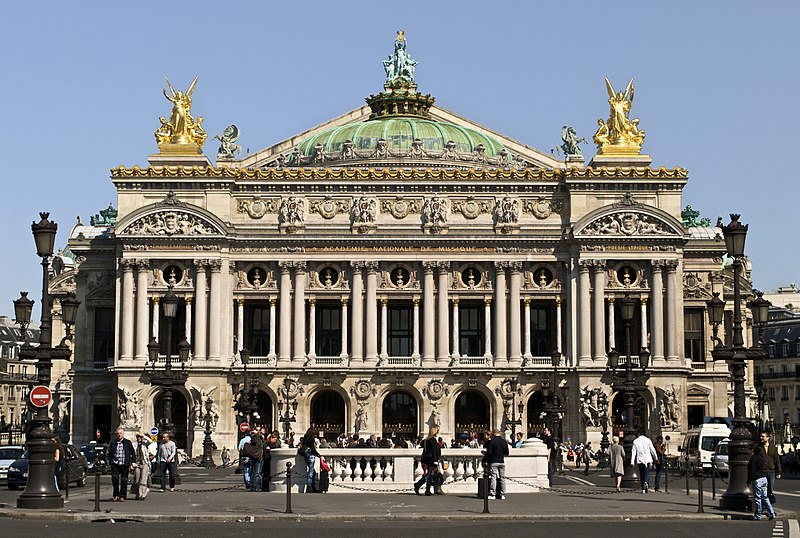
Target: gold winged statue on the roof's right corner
{"points": [[619, 135]]}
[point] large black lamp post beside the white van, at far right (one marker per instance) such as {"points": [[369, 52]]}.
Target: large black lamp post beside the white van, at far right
{"points": [[737, 496]]}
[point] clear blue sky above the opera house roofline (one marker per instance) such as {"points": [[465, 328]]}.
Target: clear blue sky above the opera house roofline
{"points": [[716, 91]]}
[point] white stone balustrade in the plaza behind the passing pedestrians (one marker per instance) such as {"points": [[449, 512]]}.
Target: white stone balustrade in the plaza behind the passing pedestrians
{"points": [[390, 470]]}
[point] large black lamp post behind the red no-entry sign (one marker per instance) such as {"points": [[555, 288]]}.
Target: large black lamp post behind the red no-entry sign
{"points": [[40, 490]]}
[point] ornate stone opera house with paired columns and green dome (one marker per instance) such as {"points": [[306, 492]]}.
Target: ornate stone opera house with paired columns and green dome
{"points": [[396, 267]]}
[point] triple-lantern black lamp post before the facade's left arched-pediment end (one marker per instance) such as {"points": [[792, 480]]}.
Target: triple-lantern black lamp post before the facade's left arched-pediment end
{"points": [[168, 378]]}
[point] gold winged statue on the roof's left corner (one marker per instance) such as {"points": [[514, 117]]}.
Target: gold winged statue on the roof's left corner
{"points": [[180, 133]]}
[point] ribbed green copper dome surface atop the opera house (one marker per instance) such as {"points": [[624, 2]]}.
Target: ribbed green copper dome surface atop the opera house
{"points": [[399, 134]]}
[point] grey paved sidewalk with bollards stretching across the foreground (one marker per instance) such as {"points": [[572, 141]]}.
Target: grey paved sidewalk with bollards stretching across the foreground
{"points": [[216, 495]]}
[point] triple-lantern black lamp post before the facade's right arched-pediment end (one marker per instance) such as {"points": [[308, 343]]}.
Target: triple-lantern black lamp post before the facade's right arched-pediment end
{"points": [[629, 387]]}
